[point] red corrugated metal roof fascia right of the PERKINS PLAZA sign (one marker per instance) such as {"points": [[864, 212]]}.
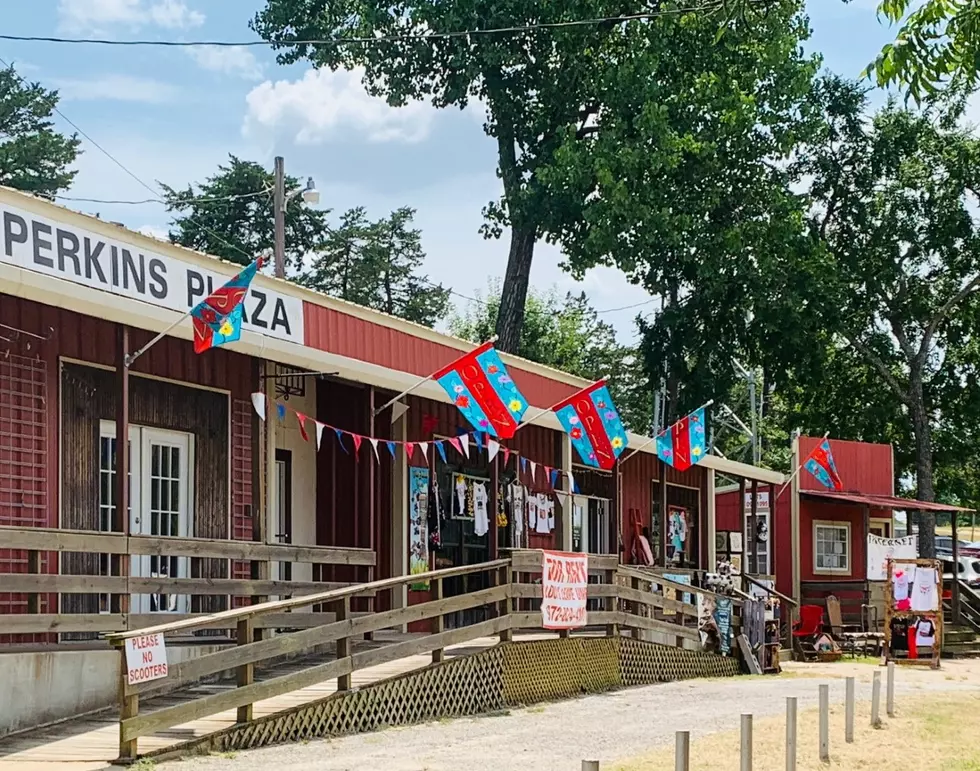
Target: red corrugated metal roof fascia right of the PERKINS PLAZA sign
{"points": [[348, 335]]}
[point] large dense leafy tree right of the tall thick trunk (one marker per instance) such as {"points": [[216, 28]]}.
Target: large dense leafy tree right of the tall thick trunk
{"points": [[684, 186]]}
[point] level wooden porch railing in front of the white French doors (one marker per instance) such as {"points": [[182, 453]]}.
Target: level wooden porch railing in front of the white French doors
{"points": [[38, 541]]}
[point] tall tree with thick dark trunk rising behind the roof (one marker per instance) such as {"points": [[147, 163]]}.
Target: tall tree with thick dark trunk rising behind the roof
{"points": [[540, 88]]}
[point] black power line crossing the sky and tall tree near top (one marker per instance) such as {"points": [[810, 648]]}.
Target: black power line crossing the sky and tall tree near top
{"points": [[570, 24]]}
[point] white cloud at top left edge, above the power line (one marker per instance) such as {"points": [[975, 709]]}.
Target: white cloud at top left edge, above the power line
{"points": [[78, 15]]}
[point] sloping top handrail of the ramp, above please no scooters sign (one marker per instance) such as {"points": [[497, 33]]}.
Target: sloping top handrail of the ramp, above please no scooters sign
{"points": [[236, 614]]}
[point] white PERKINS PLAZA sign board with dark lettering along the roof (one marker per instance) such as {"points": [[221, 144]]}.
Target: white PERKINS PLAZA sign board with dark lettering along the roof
{"points": [[82, 257]]}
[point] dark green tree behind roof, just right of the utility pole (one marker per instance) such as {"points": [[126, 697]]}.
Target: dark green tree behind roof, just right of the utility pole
{"points": [[376, 264]]}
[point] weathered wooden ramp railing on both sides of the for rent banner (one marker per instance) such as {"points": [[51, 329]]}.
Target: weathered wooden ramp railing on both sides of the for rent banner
{"points": [[626, 604]]}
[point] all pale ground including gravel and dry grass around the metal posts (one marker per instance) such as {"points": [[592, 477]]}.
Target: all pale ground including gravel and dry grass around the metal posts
{"points": [[634, 729]]}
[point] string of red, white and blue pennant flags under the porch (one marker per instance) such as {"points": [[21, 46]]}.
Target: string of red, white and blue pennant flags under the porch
{"points": [[464, 444]]}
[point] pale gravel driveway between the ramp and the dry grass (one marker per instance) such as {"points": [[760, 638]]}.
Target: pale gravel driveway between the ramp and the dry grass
{"points": [[609, 727]]}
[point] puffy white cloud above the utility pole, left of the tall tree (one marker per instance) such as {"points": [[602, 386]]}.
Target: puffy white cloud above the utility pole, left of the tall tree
{"points": [[323, 104]]}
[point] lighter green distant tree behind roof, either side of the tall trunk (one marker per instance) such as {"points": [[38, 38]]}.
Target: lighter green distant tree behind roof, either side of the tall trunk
{"points": [[566, 333]]}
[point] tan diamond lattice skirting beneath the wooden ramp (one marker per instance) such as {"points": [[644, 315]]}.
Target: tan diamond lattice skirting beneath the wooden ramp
{"points": [[509, 674]]}
